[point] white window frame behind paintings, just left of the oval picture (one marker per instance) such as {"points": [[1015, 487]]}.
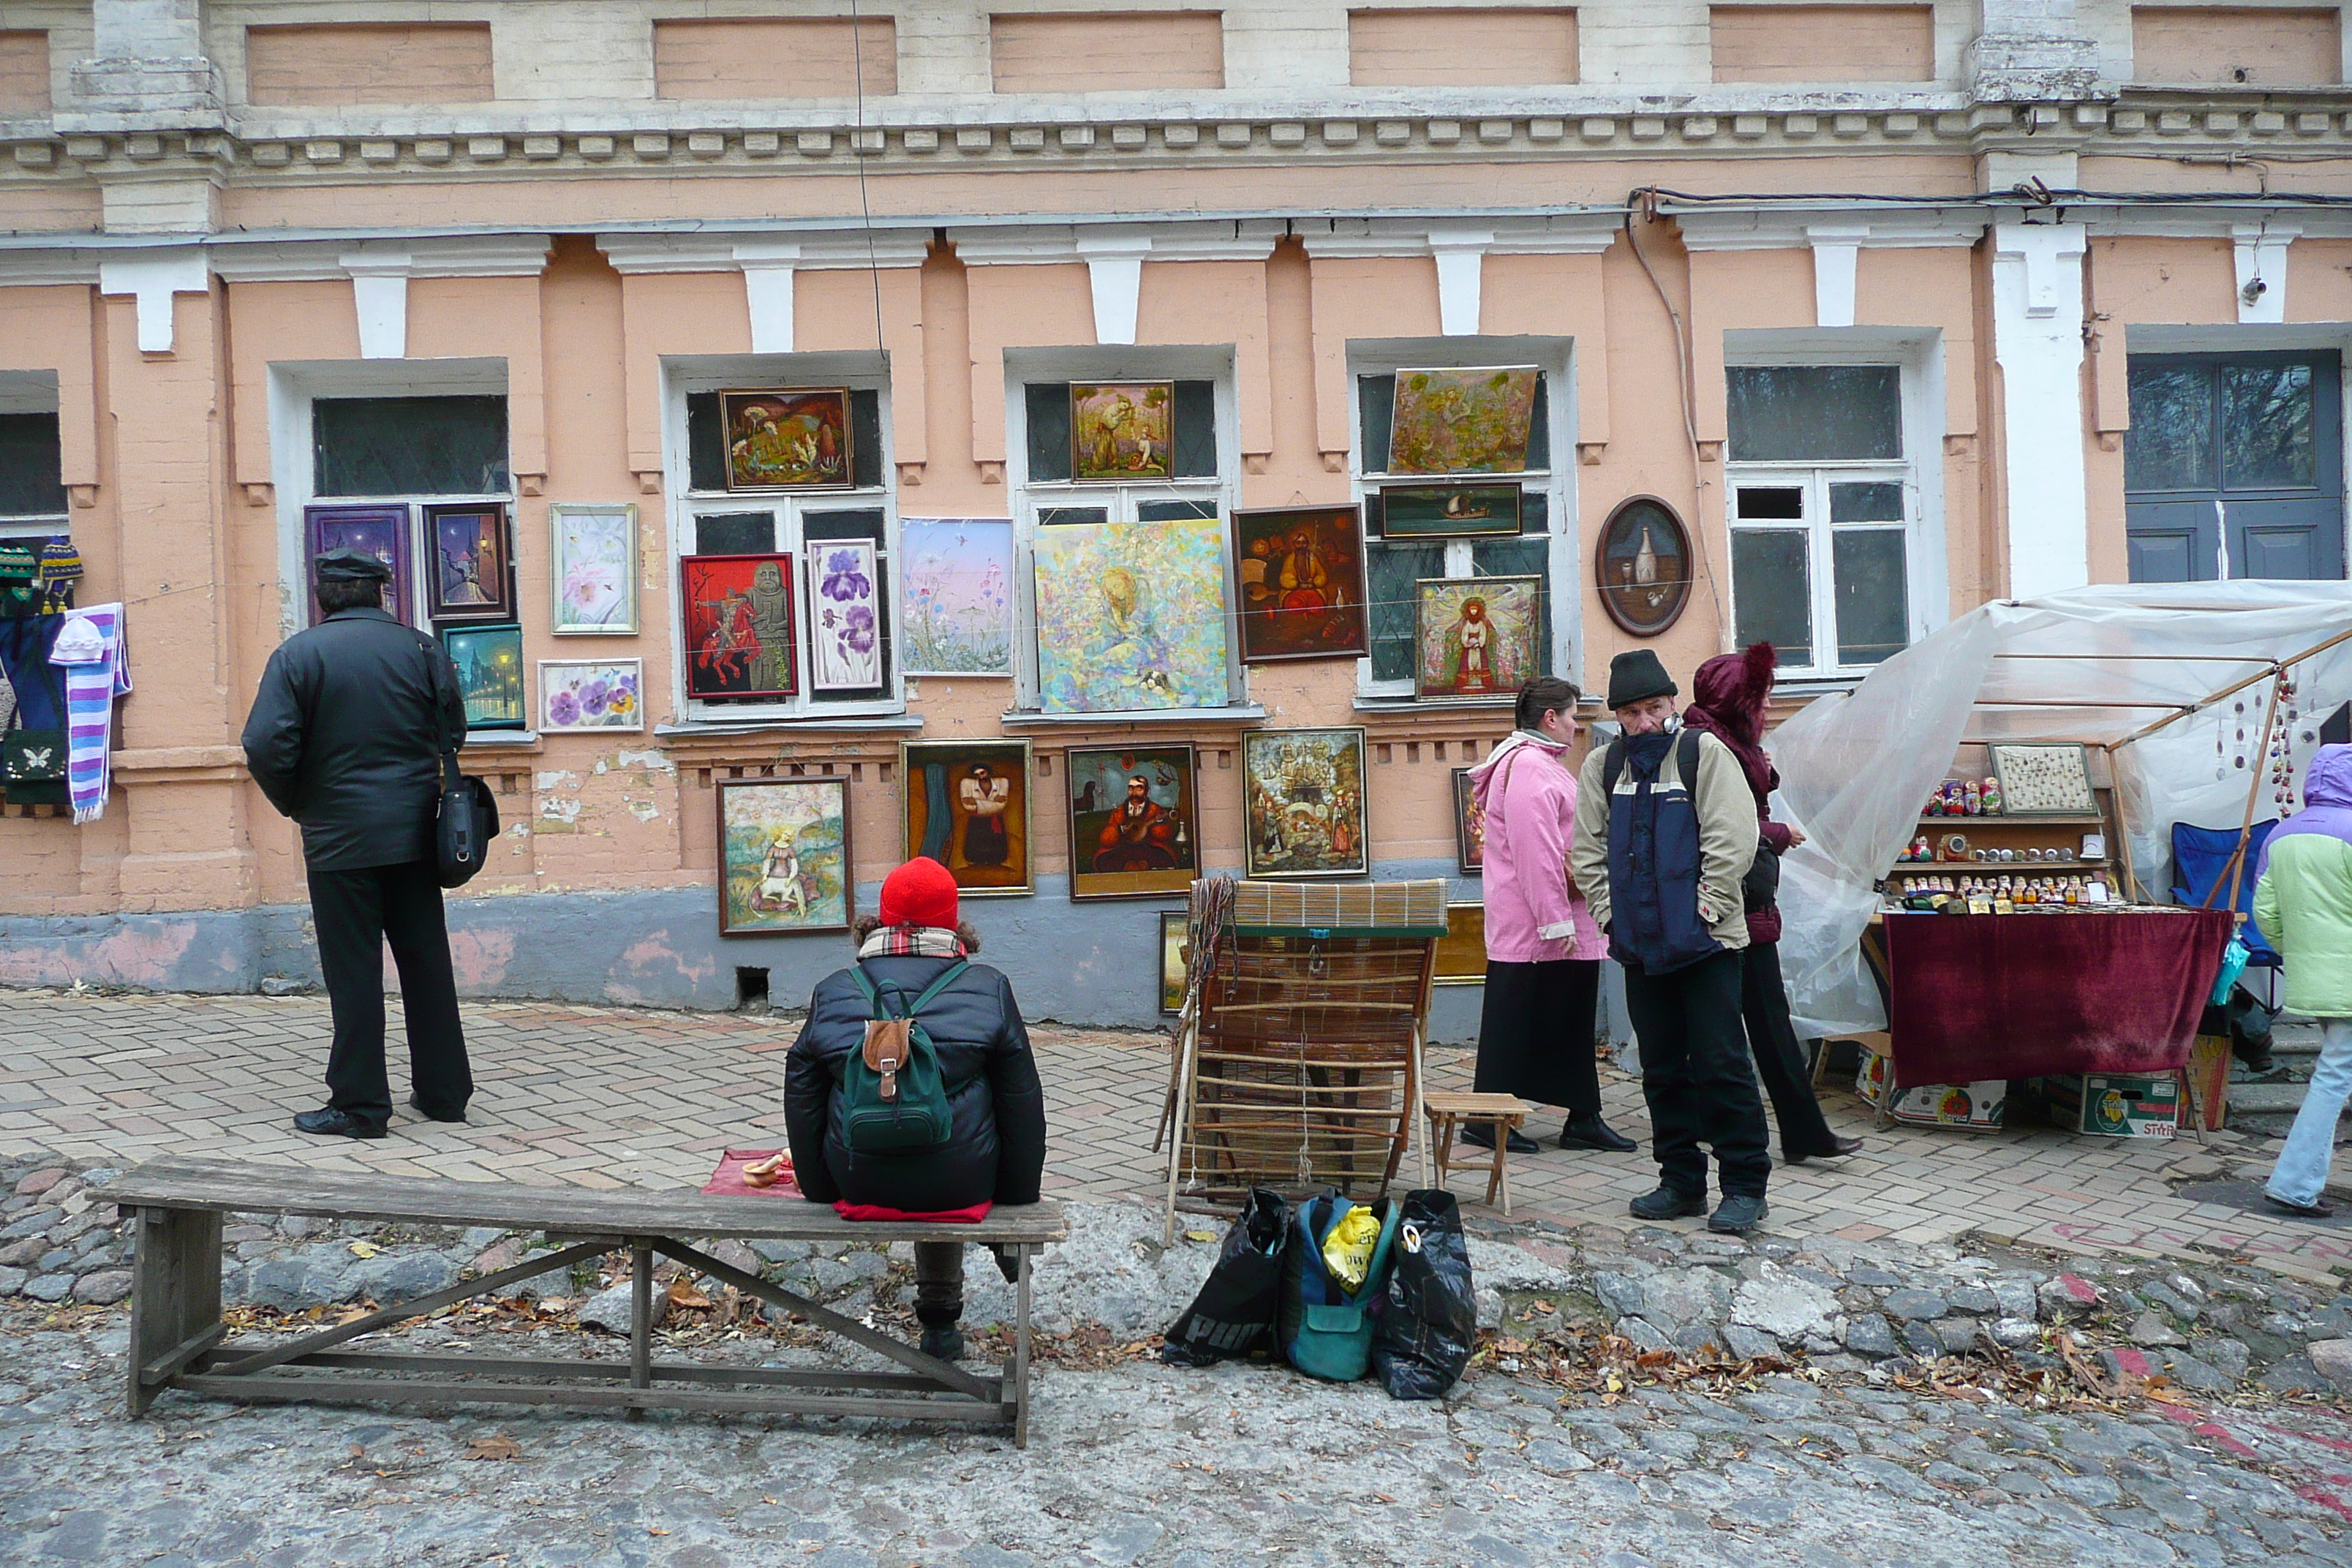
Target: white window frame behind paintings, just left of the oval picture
{"points": [[1558, 485]]}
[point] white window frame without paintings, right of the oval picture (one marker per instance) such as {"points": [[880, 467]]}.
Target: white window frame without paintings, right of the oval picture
{"points": [[1918, 361]]}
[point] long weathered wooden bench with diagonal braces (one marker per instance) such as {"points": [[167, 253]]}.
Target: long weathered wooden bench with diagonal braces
{"points": [[178, 1299]]}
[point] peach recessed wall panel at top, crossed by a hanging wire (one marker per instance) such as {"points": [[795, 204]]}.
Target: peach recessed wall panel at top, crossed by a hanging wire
{"points": [[768, 58]]}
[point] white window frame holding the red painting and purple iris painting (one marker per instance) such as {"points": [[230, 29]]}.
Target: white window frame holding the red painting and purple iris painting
{"points": [[860, 373]]}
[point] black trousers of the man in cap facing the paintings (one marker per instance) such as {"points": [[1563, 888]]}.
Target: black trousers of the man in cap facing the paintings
{"points": [[356, 913]]}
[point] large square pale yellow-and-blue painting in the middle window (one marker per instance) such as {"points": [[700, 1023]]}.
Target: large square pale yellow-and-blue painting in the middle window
{"points": [[1130, 617]]}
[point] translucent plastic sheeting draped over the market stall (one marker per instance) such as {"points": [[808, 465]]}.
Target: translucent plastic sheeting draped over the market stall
{"points": [[2144, 666]]}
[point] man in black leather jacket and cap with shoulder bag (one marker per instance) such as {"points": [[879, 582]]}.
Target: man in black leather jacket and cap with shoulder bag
{"points": [[347, 737]]}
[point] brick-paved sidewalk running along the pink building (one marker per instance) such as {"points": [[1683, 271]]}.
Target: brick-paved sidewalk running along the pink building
{"points": [[615, 1097]]}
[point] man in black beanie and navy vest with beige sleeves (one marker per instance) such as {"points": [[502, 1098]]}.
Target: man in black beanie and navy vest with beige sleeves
{"points": [[1664, 836]]}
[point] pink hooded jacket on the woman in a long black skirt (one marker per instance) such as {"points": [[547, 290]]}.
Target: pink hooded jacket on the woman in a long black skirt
{"points": [[1530, 803]]}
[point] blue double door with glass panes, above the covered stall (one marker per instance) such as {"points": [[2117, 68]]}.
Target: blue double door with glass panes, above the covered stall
{"points": [[2233, 467]]}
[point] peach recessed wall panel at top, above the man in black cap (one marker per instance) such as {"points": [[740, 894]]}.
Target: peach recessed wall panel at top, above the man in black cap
{"points": [[326, 67]]}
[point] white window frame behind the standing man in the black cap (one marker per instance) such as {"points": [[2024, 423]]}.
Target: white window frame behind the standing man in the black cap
{"points": [[295, 389]]}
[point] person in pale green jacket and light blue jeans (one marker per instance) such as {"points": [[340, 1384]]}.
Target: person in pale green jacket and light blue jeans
{"points": [[2304, 906]]}
